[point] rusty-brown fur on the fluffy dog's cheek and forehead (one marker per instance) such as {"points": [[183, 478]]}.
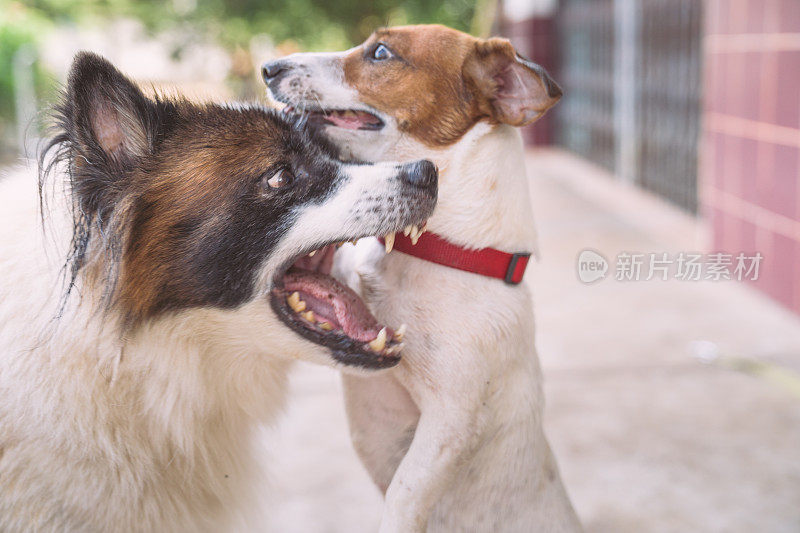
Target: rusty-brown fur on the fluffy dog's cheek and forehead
{"points": [[198, 176]]}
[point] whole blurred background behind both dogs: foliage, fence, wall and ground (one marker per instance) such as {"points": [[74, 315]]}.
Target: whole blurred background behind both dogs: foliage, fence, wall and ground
{"points": [[673, 404]]}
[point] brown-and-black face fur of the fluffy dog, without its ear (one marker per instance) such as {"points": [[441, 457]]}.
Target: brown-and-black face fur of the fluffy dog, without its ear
{"points": [[198, 225]]}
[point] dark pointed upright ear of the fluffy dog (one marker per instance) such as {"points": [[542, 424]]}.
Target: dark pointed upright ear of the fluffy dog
{"points": [[112, 121]]}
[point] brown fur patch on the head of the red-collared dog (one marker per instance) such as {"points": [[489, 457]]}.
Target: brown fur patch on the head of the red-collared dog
{"points": [[438, 85]]}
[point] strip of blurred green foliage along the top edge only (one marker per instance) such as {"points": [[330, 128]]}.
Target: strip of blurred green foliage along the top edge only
{"points": [[313, 24]]}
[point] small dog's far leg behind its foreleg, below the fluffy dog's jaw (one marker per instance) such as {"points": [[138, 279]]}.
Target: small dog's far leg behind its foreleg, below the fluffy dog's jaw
{"points": [[382, 419]]}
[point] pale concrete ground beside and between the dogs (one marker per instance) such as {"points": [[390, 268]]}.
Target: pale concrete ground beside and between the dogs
{"points": [[672, 406]]}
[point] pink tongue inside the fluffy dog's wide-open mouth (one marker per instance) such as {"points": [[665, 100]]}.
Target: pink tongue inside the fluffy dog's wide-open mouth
{"points": [[332, 300]]}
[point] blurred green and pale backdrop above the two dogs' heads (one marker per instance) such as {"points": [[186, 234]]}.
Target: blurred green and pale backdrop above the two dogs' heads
{"points": [[211, 48]]}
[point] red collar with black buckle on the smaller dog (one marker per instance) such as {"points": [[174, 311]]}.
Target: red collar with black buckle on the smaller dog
{"points": [[485, 261]]}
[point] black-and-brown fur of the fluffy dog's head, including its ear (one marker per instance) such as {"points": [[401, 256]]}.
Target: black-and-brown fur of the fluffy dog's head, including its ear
{"points": [[164, 244]]}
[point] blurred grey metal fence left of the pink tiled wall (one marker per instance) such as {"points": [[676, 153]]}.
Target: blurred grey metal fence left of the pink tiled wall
{"points": [[632, 77]]}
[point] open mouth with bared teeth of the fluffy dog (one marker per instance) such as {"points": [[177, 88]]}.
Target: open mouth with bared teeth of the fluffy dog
{"points": [[323, 310]]}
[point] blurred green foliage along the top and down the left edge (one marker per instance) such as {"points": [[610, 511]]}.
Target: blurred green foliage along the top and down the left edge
{"points": [[297, 24]]}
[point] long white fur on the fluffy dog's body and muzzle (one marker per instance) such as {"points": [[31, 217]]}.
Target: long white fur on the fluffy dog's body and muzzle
{"points": [[152, 431]]}
